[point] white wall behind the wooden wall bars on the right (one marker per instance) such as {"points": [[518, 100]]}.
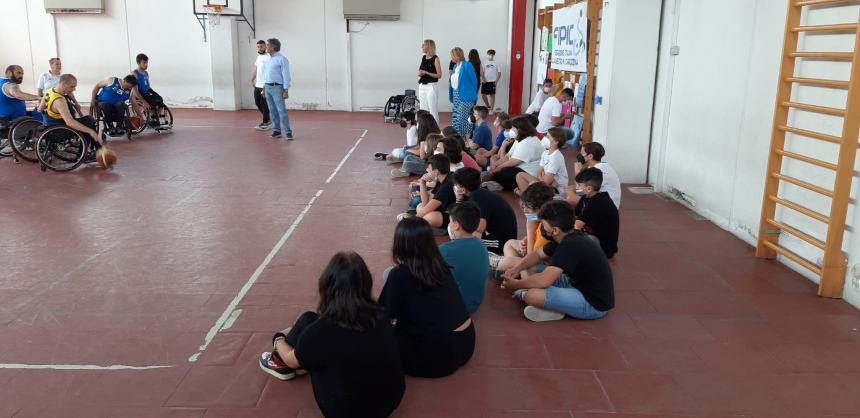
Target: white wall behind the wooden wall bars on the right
{"points": [[714, 113]]}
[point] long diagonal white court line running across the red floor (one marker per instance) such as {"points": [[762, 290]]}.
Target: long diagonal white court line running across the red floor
{"points": [[230, 313]]}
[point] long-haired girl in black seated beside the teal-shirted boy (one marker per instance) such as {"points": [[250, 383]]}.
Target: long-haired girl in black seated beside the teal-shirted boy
{"points": [[433, 328]]}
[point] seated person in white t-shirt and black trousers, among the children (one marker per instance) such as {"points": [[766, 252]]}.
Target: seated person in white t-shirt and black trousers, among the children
{"points": [[523, 156]]}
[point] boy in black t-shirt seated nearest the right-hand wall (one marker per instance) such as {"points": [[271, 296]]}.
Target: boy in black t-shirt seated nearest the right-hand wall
{"points": [[596, 213]]}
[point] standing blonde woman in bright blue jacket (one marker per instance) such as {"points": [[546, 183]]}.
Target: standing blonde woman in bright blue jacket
{"points": [[462, 92]]}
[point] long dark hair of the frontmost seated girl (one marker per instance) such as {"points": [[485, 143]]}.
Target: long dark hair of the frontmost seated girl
{"points": [[344, 288]]}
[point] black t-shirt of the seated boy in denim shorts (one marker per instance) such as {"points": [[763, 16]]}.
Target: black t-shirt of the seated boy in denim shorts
{"points": [[579, 256]]}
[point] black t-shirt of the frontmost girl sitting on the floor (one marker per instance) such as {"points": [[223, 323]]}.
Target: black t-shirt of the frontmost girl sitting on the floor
{"points": [[353, 373]]}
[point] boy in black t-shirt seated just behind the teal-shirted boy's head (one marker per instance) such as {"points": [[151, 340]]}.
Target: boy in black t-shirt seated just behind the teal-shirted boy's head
{"points": [[434, 207]]}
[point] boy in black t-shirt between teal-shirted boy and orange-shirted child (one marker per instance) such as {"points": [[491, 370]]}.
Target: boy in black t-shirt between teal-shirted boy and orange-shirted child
{"points": [[498, 221]]}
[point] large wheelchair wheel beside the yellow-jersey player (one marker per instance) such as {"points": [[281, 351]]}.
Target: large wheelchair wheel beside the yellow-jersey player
{"points": [[61, 148]]}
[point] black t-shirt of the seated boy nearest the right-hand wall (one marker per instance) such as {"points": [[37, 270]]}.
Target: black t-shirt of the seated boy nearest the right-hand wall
{"points": [[601, 220]]}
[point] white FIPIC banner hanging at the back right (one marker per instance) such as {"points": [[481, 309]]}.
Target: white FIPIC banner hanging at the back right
{"points": [[570, 38]]}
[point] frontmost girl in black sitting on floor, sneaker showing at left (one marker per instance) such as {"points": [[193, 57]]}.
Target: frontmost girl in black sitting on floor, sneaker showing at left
{"points": [[348, 347]]}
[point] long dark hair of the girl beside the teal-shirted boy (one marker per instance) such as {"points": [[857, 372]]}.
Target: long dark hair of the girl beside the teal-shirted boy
{"points": [[415, 248]]}
